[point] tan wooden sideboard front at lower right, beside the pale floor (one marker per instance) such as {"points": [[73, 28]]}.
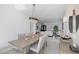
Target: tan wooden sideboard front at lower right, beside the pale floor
{"points": [[64, 47]]}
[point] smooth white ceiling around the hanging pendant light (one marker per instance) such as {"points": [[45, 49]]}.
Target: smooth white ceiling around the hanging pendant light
{"points": [[47, 12]]}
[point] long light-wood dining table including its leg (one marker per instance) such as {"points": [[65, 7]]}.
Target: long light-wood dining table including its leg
{"points": [[24, 44]]}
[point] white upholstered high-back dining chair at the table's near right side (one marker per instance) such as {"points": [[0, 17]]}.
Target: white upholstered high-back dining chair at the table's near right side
{"points": [[39, 46]]}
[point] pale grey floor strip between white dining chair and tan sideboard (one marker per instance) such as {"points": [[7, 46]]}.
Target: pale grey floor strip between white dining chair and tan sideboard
{"points": [[52, 46]]}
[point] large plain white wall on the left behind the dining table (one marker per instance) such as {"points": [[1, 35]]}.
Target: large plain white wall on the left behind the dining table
{"points": [[12, 22]]}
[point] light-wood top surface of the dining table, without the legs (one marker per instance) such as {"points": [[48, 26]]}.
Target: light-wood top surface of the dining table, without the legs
{"points": [[22, 43]]}
